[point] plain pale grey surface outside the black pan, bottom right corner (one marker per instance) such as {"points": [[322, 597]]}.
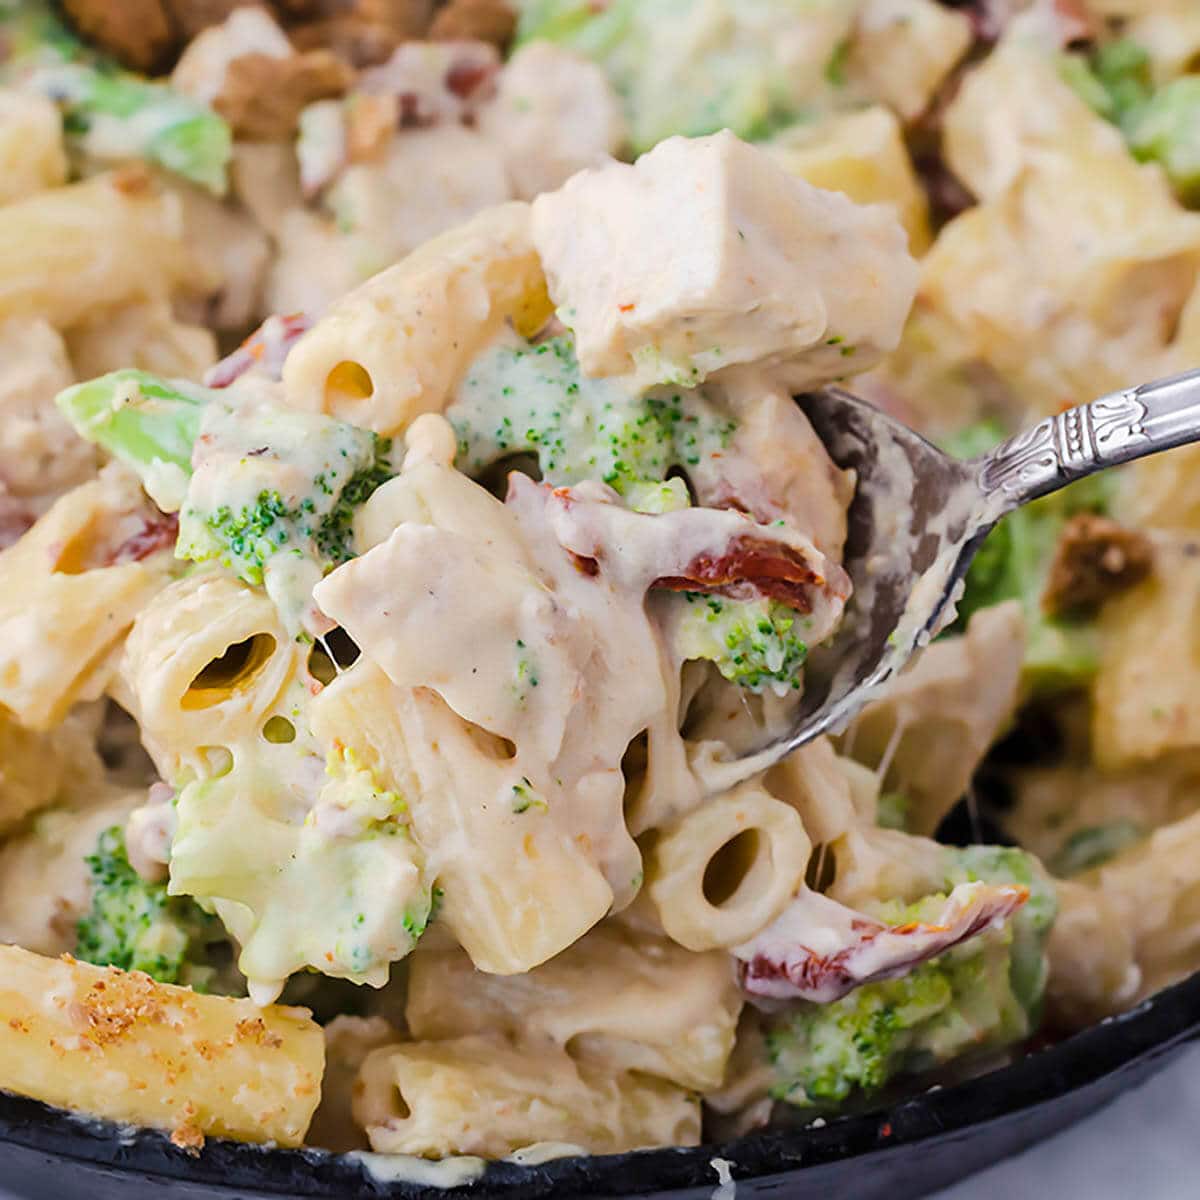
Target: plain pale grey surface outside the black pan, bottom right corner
{"points": [[1145, 1147]]}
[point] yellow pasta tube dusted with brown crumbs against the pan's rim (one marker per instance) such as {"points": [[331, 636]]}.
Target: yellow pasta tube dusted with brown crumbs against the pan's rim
{"points": [[123, 1047]]}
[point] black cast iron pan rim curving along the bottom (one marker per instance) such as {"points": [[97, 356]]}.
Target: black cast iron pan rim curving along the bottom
{"points": [[899, 1153]]}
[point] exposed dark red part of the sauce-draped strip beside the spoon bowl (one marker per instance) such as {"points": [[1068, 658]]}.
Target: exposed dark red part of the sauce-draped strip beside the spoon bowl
{"points": [[755, 566]]}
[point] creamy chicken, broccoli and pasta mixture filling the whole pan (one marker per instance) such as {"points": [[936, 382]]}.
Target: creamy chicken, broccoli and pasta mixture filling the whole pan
{"points": [[407, 524]]}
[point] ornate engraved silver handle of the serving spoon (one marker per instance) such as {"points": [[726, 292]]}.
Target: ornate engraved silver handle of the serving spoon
{"points": [[1115, 429]]}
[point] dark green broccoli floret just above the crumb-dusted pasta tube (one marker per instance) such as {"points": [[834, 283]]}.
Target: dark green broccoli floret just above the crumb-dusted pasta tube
{"points": [[136, 926]]}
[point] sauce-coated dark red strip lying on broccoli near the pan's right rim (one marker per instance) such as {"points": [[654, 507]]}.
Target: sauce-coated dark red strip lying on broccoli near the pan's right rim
{"points": [[820, 951]]}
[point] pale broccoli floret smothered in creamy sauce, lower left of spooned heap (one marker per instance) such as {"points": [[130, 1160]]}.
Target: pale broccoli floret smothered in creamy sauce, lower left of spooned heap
{"points": [[344, 893]]}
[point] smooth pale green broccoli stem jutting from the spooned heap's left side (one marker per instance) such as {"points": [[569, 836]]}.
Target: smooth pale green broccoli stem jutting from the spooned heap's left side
{"points": [[139, 418]]}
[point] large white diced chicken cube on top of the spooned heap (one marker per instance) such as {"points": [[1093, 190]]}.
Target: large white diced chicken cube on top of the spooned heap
{"points": [[707, 254]]}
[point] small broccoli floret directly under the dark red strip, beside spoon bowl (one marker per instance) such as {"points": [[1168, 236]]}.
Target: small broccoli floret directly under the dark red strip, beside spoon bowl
{"points": [[754, 644]]}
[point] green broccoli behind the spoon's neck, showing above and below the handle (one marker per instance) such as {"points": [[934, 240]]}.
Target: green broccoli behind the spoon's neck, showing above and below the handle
{"points": [[1015, 563]]}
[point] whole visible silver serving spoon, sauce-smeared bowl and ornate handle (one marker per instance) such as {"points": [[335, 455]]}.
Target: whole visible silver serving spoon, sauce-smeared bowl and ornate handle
{"points": [[920, 517]]}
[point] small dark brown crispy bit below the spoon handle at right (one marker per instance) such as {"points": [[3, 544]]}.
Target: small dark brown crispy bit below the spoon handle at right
{"points": [[1095, 560]]}
